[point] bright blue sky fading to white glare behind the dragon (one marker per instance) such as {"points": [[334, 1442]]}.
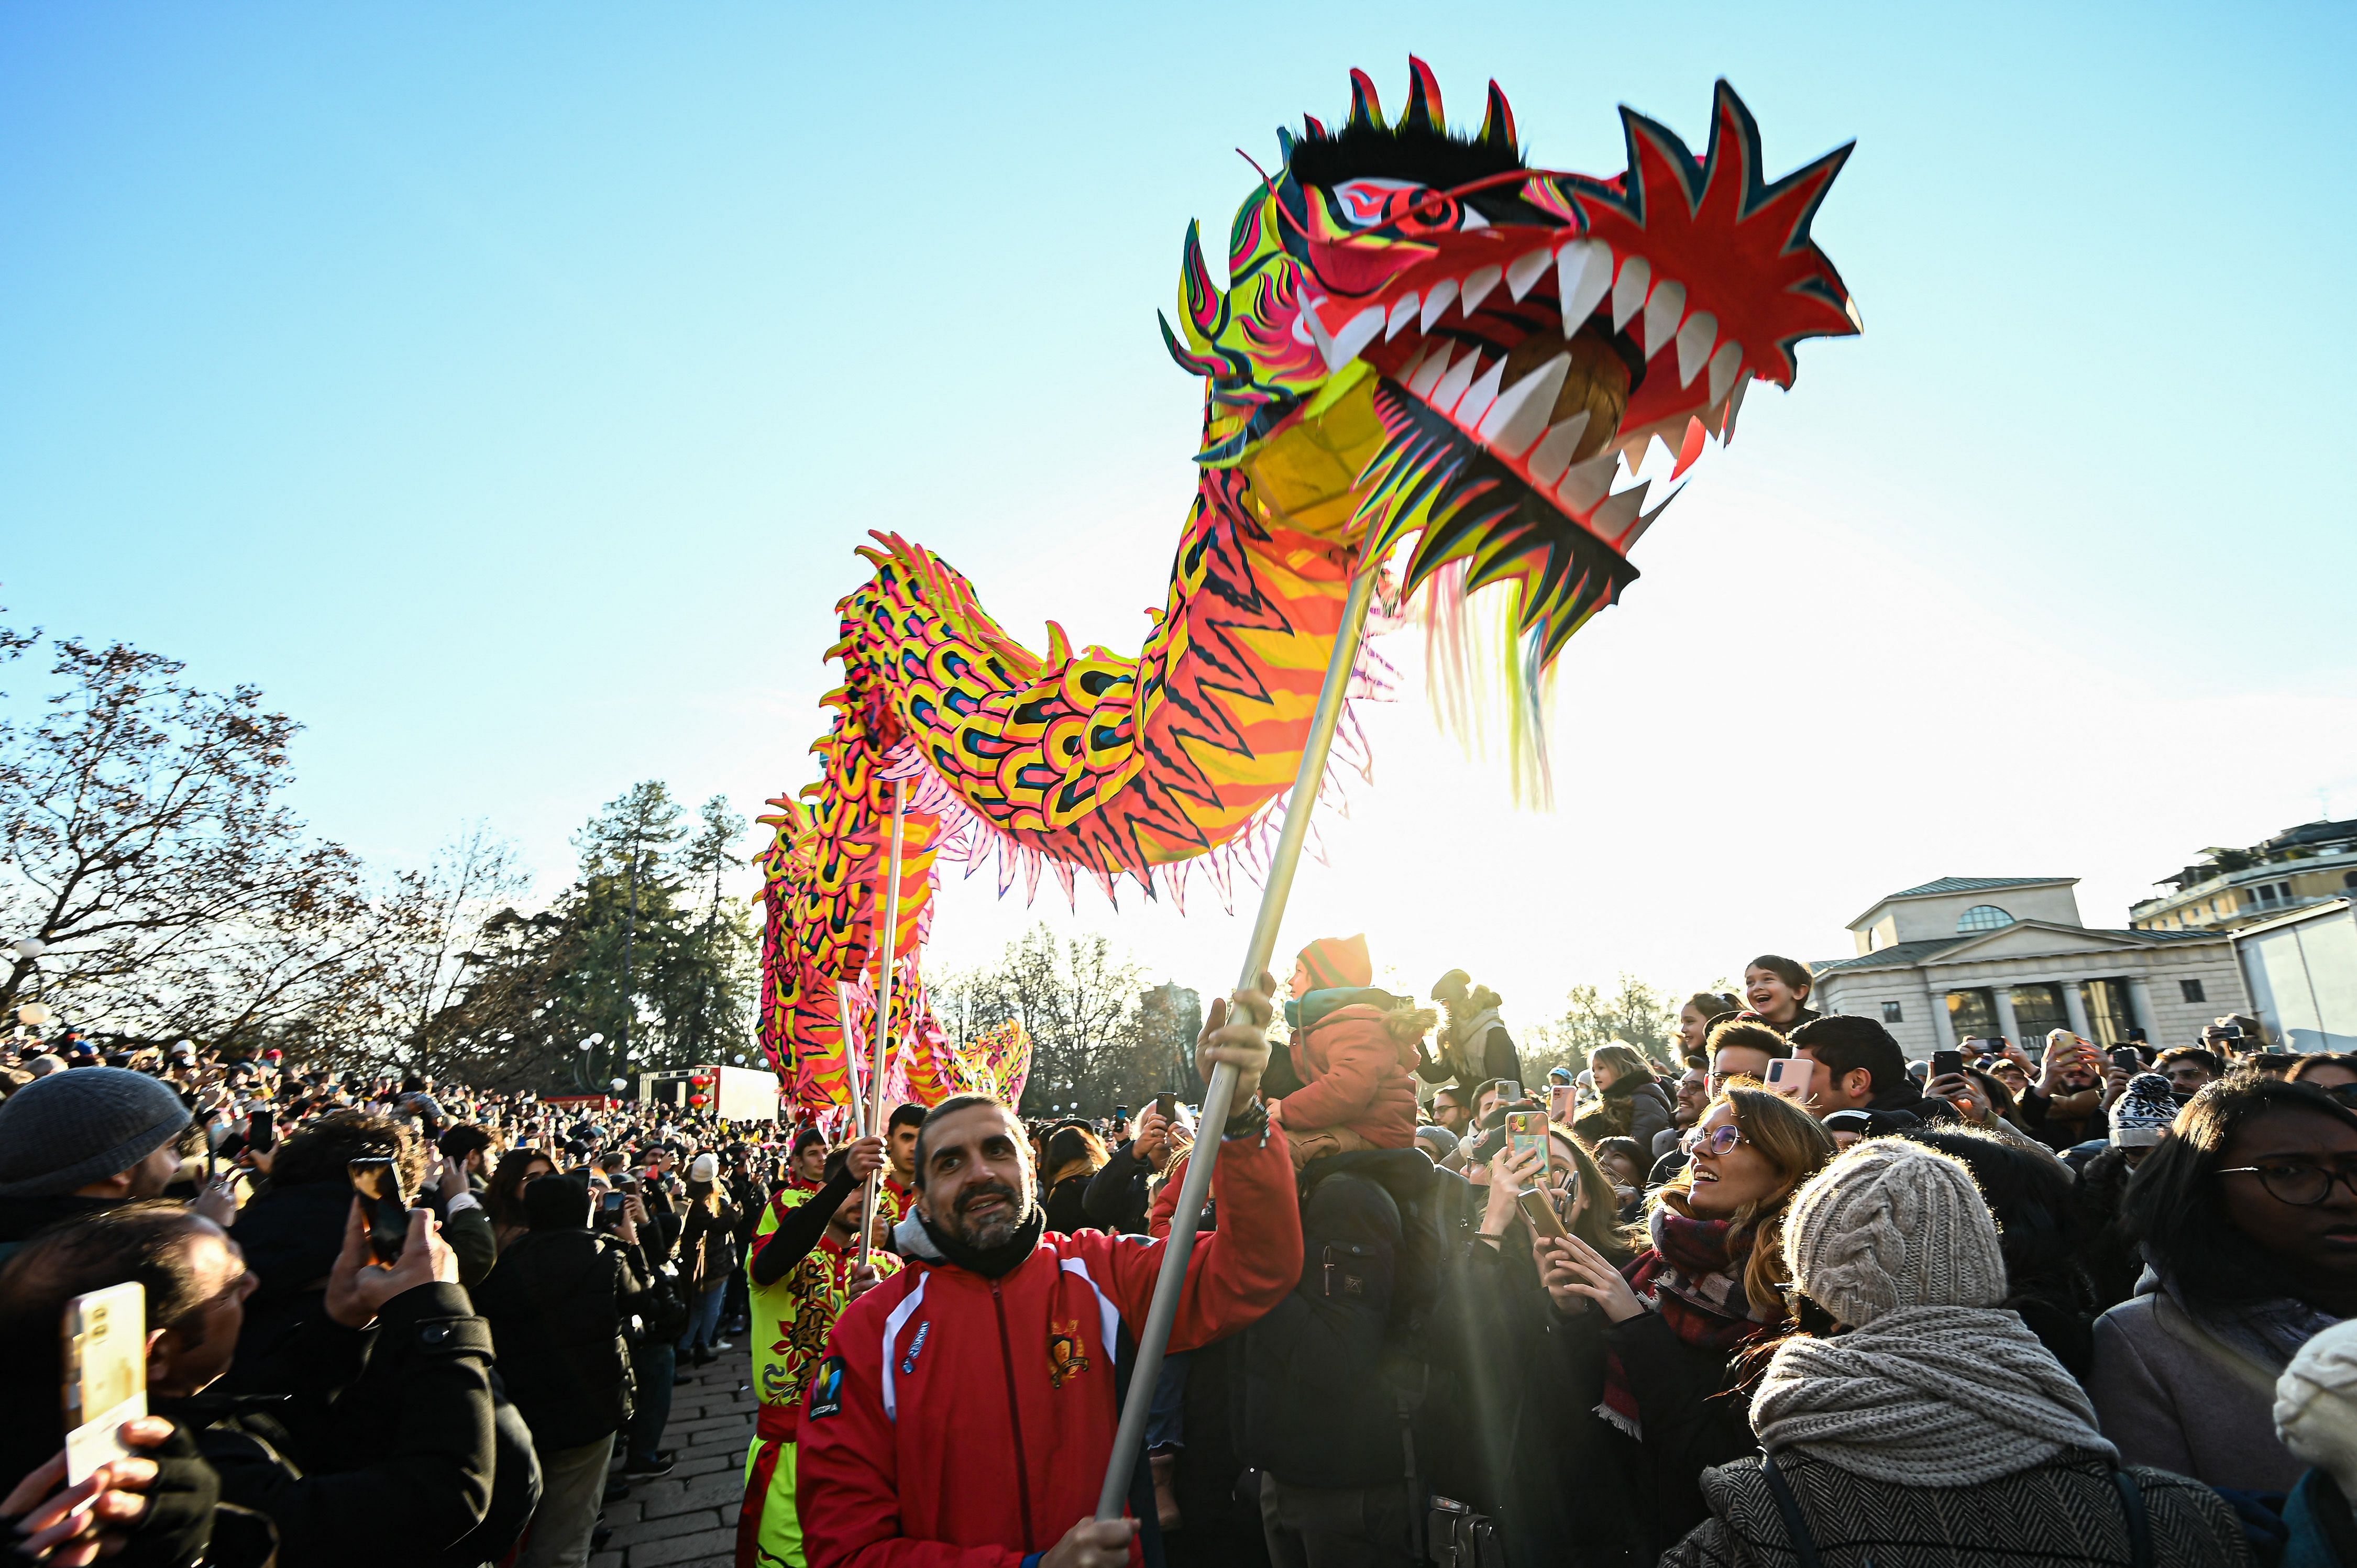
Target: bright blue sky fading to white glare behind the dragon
{"points": [[506, 388]]}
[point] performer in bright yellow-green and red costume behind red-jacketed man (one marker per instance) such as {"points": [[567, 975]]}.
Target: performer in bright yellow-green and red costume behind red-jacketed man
{"points": [[803, 1270]]}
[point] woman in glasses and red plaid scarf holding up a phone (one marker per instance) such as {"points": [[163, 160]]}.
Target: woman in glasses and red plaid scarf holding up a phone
{"points": [[1668, 1333]]}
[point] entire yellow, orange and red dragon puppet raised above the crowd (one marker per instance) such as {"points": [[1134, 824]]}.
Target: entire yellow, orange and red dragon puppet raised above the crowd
{"points": [[1430, 360]]}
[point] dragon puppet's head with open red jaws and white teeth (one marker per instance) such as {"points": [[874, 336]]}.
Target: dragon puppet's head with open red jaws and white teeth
{"points": [[1425, 336]]}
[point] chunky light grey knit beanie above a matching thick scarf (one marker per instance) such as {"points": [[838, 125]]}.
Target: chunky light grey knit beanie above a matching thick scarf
{"points": [[1894, 1225]]}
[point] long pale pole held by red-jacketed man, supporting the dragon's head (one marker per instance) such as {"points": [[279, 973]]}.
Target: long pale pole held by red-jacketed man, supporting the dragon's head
{"points": [[1215, 1100]]}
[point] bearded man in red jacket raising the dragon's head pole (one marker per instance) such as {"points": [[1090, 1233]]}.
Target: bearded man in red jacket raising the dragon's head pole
{"points": [[965, 1409]]}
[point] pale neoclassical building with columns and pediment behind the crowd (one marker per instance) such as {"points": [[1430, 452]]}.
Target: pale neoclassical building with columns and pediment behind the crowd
{"points": [[2009, 956]]}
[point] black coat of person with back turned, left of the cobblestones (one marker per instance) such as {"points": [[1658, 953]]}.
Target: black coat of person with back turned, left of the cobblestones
{"points": [[557, 1310]]}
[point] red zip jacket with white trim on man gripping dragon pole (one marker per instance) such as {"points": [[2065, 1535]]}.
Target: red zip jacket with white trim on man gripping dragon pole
{"points": [[968, 1421]]}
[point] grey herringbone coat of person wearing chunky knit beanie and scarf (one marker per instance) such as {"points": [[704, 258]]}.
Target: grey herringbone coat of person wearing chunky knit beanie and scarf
{"points": [[2061, 1513]]}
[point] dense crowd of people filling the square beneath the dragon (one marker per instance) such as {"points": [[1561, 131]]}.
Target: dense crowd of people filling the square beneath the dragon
{"points": [[1778, 1296]]}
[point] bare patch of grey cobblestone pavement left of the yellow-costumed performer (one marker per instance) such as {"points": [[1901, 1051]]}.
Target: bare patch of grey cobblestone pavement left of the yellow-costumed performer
{"points": [[689, 1517]]}
